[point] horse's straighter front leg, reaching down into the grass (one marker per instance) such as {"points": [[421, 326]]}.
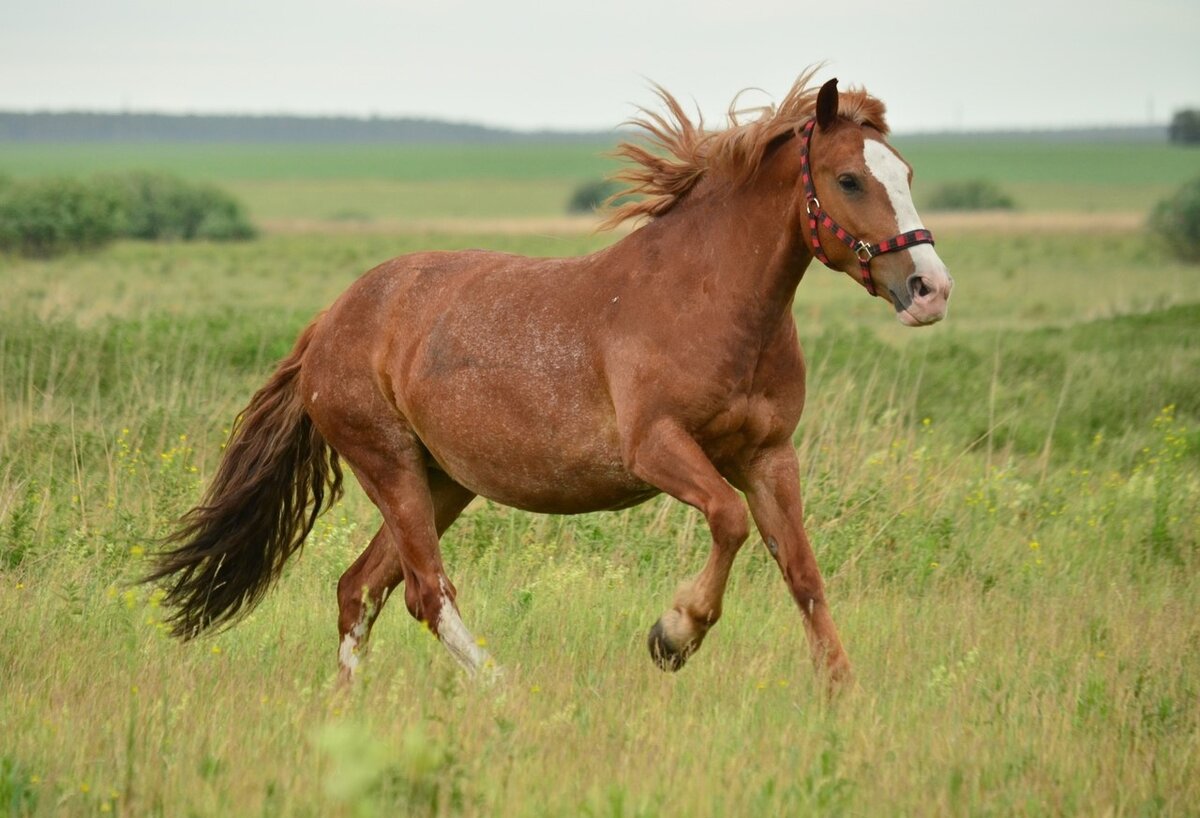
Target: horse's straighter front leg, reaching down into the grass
{"points": [[773, 490]]}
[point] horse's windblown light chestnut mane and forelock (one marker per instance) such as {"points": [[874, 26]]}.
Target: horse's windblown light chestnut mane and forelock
{"points": [[676, 153]]}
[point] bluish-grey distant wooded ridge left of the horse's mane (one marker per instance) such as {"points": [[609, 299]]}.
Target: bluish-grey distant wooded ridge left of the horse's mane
{"points": [[82, 127]]}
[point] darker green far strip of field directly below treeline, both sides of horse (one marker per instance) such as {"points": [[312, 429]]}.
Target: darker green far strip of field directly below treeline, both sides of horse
{"points": [[1017, 161]]}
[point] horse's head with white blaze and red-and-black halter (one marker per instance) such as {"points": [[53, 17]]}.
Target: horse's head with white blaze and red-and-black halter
{"points": [[861, 219]]}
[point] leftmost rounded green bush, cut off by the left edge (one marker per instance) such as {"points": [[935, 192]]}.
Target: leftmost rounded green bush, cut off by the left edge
{"points": [[52, 216]]}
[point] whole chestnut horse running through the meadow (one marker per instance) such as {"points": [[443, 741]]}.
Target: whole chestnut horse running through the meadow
{"points": [[667, 363]]}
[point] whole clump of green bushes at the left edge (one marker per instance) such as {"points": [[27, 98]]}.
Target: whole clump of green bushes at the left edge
{"points": [[51, 216]]}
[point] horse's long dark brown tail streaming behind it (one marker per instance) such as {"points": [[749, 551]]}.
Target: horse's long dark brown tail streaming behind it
{"points": [[277, 477]]}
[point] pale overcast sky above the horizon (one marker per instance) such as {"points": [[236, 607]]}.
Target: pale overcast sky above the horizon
{"points": [[533, 64]]}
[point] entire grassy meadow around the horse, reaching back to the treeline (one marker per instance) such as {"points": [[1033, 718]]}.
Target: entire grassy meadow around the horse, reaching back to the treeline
{"points": [[1005, 508]]}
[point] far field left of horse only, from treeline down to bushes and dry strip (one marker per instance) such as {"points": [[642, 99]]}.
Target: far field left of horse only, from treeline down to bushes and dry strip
{"points": [[349, 183]]}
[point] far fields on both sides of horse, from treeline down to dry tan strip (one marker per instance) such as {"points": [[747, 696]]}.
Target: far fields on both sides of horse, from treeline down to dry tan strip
{"points": [[365, 183]]}
